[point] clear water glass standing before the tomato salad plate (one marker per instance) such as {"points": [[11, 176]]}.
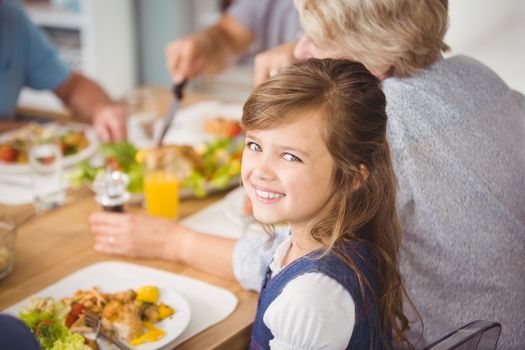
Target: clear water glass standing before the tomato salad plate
{"points": [[45, 159]]}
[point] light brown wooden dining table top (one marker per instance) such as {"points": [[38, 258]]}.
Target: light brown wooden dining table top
{"points": [[54, 244]]}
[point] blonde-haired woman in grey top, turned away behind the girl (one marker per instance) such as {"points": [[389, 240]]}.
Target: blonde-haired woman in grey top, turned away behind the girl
{"points": [[457, 133]]}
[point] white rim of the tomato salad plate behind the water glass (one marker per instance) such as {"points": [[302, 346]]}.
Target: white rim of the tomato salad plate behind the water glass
{"points": [[87, 152]]}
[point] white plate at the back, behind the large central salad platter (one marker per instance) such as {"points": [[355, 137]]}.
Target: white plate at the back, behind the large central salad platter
{"points": [[188, 124]]}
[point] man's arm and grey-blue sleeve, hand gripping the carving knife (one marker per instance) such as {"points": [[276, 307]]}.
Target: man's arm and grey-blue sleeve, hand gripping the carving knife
{"points": [[247, 28]]}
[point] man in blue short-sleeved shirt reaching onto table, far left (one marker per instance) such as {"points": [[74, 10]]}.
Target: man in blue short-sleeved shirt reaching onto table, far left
{"points": [[28, 59]]}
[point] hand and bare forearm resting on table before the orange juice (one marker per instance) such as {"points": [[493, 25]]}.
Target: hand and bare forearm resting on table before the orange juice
{"points": [[144, 236]]}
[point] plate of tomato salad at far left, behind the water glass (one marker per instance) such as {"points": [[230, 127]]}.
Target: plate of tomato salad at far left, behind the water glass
{"points": [[77, 142]]}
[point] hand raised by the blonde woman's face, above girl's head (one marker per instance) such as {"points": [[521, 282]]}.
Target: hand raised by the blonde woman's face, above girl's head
{"points": [[269, 62]]}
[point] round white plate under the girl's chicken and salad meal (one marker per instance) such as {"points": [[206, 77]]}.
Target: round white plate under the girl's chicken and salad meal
{"points": [[112, 277]]}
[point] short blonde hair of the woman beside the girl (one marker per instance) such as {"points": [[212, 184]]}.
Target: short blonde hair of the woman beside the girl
{"points": [[394, 37]]}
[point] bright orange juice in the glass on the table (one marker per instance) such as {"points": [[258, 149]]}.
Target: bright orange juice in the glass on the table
{"points": [[161, 191]]}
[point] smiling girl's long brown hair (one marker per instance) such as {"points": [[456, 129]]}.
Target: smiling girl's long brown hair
{"points": [[351, 104]]}
